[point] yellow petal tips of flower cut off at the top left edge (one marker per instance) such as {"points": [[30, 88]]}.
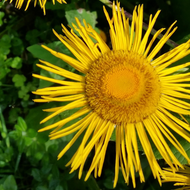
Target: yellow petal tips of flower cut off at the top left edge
{"points": [[19, 3]]}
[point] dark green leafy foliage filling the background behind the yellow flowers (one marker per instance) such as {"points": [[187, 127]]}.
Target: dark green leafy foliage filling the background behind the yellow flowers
{"points": [[28, 159]]}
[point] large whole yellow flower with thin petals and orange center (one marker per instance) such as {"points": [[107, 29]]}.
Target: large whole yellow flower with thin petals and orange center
{"points": [[126, 88]]}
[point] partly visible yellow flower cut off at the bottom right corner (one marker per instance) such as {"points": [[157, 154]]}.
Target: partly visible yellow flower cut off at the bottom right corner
{"points": [[181, 177]]}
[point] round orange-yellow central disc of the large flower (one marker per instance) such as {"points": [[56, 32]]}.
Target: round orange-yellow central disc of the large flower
{"points": [[122, 87]]}
